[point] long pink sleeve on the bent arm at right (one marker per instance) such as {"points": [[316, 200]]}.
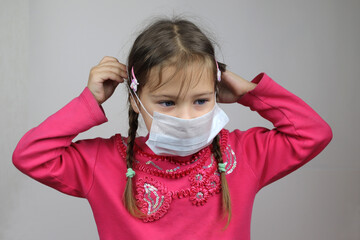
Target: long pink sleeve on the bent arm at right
{"points": [[299, 134]]}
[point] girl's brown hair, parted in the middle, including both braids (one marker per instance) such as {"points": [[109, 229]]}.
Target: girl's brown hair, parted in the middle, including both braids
{"points": [[169, 42]]}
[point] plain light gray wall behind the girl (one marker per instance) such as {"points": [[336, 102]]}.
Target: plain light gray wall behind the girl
{"points": [[310, 47]]}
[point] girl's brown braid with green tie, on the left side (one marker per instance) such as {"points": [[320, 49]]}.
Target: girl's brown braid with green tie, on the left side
{"points": [[129, 199]]}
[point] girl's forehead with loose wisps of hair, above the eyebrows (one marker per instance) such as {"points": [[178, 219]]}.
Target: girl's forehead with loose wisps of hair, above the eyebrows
{"points": [[195, 77]]}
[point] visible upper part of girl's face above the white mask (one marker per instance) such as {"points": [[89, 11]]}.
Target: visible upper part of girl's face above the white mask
{"points": [[197, 99]]}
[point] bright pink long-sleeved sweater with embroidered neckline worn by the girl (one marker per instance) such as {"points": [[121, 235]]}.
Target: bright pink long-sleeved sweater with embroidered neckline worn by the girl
{"points": [[180, 196]]}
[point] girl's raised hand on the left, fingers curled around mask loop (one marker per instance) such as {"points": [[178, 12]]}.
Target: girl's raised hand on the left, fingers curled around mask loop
{"points": [[104, 78]]}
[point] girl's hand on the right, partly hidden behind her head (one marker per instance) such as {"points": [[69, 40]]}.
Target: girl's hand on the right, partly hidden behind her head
{"points": [[232, 87]]}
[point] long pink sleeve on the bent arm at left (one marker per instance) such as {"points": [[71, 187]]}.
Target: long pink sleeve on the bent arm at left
{"points": [[47, 154]]}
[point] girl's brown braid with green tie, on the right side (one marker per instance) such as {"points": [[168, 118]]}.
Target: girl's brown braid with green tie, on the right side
{"points": [[216, 150]]}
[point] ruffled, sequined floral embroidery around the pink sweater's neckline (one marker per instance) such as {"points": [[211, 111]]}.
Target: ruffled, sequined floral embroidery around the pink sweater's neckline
{"points": [[154, 198]]}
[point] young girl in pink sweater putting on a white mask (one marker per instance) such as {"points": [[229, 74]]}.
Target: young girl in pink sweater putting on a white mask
{"points": [[189, 178]]}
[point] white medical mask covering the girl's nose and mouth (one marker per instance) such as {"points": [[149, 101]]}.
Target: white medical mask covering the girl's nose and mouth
{"points": [[172, 136]]}
